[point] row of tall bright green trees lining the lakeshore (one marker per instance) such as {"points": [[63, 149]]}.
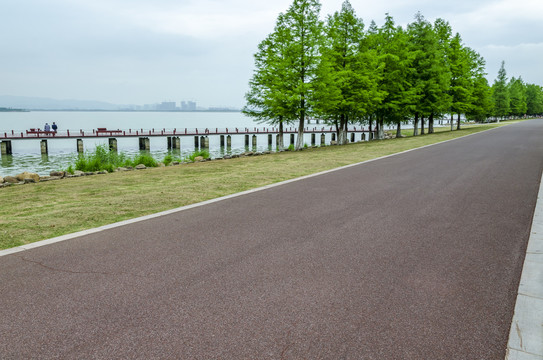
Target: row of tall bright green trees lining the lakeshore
{"points": [[339, 72]]}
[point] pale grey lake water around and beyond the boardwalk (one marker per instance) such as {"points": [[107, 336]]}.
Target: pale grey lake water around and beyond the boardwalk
{"points": [[62, 152]]}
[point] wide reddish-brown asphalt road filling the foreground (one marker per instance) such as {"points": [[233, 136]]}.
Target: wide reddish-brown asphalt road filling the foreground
{"points": [[415, 256]]}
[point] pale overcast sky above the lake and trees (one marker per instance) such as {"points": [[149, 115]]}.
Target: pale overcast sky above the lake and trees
{"points": [[148, 51]]}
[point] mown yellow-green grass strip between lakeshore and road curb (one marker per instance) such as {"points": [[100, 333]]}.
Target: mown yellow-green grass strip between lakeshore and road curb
{"points": [[39, 211]]}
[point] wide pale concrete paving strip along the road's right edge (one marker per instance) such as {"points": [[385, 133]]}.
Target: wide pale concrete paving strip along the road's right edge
{"points": [[526, 334]]}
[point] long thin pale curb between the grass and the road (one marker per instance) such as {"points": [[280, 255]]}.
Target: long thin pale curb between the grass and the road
{"points": [[167, 212]]}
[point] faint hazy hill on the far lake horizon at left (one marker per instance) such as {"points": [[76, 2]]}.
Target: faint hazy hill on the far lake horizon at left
{"points": [[38, 103]]}
